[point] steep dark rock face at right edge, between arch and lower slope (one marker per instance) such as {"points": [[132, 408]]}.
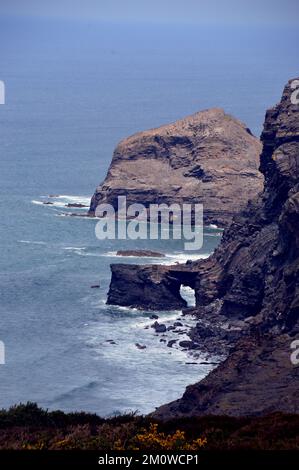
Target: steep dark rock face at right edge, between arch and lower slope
{"points": [[255, 270]]}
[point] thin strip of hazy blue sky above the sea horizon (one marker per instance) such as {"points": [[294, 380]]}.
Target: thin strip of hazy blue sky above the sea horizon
{"points": [[190, 11]]}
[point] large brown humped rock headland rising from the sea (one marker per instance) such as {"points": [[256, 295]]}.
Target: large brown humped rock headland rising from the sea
{"points": [[209, 157]]}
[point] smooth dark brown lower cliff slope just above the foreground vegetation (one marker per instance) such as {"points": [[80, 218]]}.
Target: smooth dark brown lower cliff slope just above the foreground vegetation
{"points": [[257, 378]]}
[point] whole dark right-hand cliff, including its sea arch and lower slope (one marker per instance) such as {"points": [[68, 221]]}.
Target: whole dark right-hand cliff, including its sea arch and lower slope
{"points": [[249, 288]]}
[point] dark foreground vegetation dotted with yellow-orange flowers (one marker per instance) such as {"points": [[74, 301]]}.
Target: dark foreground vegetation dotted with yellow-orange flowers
{"points": [[30, 427]]}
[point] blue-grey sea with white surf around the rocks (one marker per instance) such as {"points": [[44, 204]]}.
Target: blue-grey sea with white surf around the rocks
{"points": [[73, 90]]}
